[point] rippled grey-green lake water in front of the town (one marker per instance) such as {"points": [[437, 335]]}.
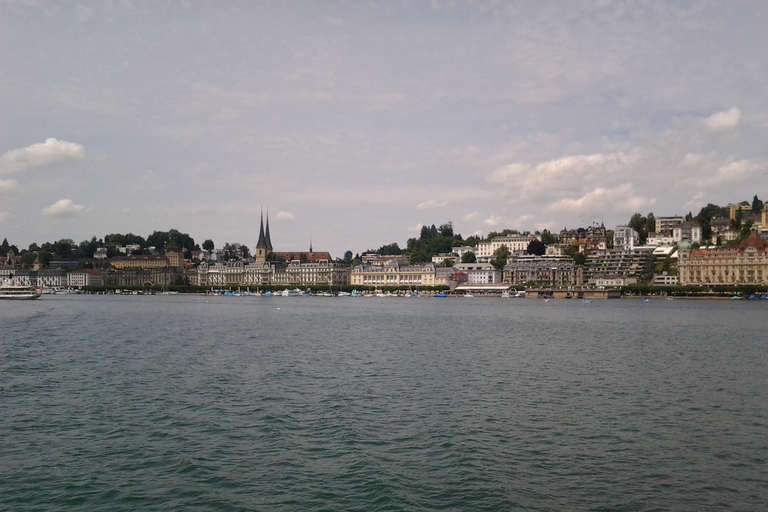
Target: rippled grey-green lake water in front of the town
{"points": [[282, 404]]}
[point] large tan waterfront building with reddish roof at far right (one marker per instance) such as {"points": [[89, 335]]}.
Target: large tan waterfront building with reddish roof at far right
{"points": [[746, 263]]}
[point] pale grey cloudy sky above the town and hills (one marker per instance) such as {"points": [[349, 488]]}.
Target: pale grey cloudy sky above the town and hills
{"points": [[356, 122]]}
